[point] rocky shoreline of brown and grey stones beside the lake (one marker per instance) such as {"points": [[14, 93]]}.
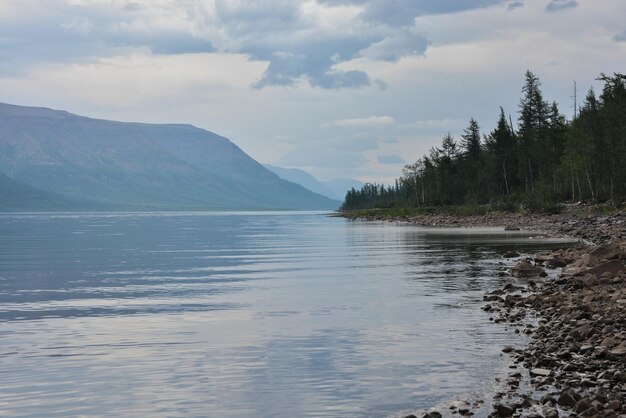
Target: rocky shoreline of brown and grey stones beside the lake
{"points": [[575, 362]]}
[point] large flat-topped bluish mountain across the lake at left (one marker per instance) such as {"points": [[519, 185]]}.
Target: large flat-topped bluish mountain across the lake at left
{"points": [[54, 160]]}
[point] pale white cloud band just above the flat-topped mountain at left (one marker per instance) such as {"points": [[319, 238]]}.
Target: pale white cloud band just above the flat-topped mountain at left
{"points": [[140, 79]]}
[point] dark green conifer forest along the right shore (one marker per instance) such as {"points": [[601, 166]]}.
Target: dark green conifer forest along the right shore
{"points": [[543, 160]]}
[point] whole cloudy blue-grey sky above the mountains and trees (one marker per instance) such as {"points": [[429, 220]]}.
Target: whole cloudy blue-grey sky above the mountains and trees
{"points": [[339, 88]]}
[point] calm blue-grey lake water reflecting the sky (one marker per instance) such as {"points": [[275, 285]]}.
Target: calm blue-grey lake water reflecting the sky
{"points": [[244, 314]]}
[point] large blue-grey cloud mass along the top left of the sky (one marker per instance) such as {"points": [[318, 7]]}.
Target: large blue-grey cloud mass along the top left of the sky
{"points": [[298, 41]]}
